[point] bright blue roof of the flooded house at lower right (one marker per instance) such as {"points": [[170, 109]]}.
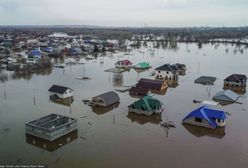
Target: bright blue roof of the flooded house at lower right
{"points": [[208, 114]]}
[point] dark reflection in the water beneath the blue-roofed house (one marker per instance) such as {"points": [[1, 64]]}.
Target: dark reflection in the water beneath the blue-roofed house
{"points": [[218, 132]]}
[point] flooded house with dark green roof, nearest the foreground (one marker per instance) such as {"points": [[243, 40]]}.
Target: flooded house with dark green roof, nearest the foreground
{"points": [[146, 106]]}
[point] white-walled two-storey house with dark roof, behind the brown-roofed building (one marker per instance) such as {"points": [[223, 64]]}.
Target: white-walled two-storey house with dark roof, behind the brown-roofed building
{"points": [[167, 72]]}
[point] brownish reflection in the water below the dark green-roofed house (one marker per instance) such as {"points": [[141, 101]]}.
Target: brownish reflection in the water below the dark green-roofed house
{"points": [[142, 119]]}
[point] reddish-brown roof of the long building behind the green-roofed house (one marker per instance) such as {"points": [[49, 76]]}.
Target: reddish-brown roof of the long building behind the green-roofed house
{"points": [[150, 83]]}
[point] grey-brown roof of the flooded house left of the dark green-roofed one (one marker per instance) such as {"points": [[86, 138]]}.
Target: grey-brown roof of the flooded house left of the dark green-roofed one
{"points": [[108, 98]]}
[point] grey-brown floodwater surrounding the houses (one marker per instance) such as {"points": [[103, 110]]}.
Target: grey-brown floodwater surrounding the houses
{"points": [[114, 138]]}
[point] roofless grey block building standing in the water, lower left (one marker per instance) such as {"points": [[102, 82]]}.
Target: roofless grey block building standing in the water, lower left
{"points": [[51, 127]]}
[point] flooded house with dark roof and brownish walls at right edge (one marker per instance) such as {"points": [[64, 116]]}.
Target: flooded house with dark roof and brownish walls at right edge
{"points": [[236, 82]]}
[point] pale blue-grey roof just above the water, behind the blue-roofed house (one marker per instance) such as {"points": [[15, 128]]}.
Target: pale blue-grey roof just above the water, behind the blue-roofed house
{"points": [[226, 95]]}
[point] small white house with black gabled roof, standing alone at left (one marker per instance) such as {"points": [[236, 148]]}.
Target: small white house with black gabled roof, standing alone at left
{"points": [[60, 91]]}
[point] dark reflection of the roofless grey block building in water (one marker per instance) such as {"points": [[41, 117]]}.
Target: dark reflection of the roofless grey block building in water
{"points": [[52, 145]]}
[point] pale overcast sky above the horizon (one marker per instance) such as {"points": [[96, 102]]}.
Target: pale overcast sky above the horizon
{"points": [[156, 13]]}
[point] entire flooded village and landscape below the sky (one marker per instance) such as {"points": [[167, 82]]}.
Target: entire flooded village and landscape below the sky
{"points": [[124, 97]]}
